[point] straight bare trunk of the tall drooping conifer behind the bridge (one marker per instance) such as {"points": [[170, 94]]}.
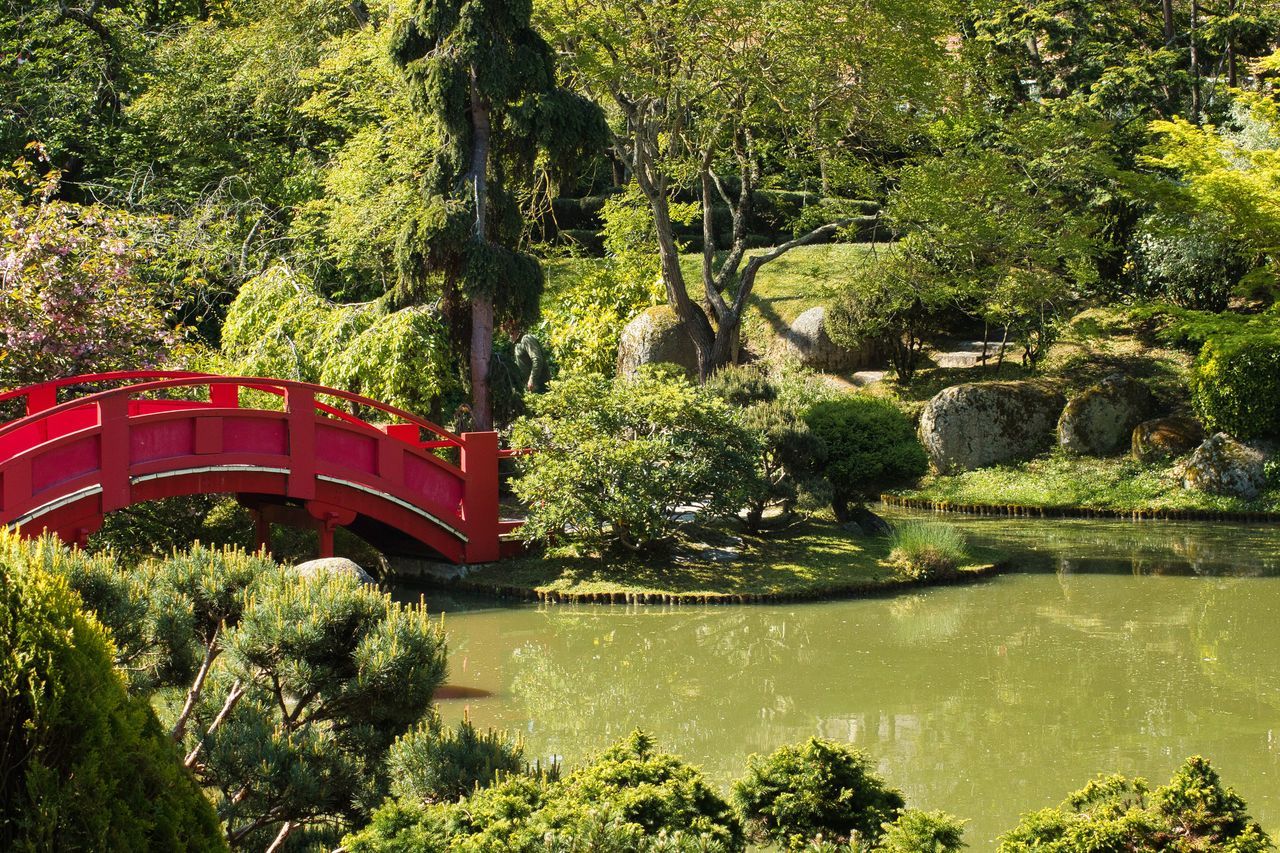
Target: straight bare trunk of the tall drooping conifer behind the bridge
{"points": [[482, 304]]}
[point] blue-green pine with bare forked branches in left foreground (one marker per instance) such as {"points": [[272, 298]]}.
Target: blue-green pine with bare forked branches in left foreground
{"points": [[317, 681]]}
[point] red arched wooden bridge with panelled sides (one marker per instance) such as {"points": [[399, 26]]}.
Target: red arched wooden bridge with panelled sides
{"points": [[292, 453]]}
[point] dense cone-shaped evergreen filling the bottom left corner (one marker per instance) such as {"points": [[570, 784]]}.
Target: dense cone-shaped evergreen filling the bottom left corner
{"points": [[85, 767]]}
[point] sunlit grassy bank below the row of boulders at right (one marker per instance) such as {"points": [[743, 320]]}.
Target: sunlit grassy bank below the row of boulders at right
{"points": [[1118, 485]]}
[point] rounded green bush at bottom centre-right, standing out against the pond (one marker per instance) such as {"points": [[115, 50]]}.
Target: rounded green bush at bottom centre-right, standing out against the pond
{"points": [[816, 790]]}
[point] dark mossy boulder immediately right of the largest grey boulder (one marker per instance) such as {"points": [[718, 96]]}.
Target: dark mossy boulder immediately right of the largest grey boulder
{"points": [[1100, 421]]}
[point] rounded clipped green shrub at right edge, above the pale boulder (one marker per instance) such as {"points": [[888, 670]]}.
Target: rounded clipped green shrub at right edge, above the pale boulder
{"points": [[1236, 385]]}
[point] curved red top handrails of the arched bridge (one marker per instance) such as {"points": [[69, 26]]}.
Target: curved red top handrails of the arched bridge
{"points": [[188, 380]]}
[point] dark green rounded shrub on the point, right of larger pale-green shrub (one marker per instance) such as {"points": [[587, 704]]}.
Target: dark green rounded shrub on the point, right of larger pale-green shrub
{"points": [[870, 446]]}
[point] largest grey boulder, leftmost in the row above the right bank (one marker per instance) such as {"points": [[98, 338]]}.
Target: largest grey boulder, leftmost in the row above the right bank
{"points": [[988, 423]]}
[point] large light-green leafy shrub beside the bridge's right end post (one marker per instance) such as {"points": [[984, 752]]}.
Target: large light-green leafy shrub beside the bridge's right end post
{"points": [[614, 459]]}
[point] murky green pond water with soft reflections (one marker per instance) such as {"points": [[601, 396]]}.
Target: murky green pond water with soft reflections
{"points": [[1110, 646]]}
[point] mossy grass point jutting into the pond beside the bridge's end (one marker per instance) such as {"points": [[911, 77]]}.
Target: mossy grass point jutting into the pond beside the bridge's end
{"points": [[812, 560]]}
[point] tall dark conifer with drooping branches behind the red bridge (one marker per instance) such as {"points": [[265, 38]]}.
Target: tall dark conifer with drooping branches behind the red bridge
{"points": [[487, 81]]}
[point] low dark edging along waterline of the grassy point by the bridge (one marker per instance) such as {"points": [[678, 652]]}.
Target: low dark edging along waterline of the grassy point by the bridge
{"points": [[862, 590]]}
